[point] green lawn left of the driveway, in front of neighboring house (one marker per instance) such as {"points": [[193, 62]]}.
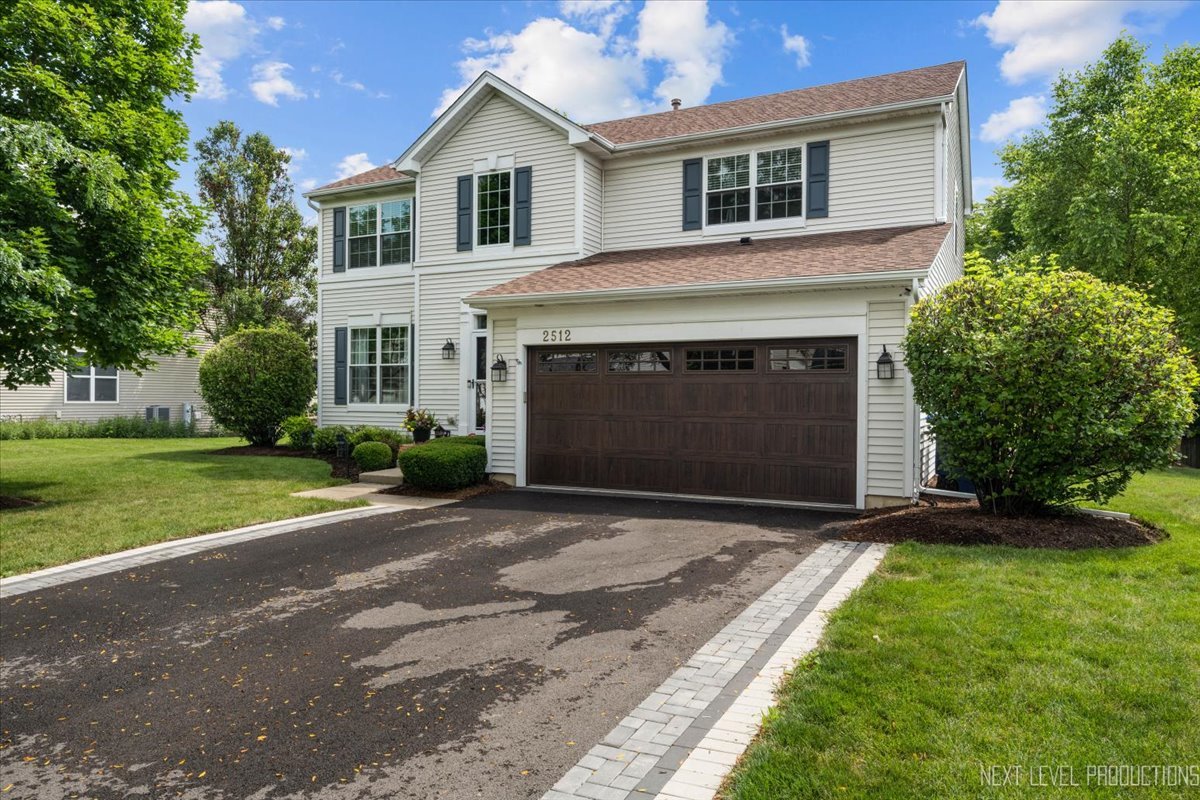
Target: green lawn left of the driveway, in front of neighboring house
{"points": [[103, 496]]}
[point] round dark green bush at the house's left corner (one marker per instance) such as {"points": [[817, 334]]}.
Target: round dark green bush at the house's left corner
{"points": [[257, 378]]}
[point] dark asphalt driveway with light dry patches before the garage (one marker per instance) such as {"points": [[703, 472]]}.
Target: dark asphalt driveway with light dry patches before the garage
{"points": [[471, 651]]}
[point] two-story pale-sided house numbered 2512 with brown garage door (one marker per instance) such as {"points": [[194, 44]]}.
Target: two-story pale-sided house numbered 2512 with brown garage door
{"points": [[692, 303]]}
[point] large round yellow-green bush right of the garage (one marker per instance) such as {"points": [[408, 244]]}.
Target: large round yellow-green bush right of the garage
{"points": [[1049, 389]]}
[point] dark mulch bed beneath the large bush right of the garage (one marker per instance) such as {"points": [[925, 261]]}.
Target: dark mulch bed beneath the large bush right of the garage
{"points": [[963, 524]]}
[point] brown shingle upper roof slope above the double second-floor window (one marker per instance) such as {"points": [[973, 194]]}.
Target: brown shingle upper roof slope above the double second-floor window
{"points": [[850, 95]]}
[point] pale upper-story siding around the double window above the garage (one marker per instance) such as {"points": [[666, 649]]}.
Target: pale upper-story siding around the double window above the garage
{"points": [[879, 177]]}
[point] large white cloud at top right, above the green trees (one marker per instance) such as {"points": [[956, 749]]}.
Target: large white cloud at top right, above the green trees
{"points": [[1043, 38]]}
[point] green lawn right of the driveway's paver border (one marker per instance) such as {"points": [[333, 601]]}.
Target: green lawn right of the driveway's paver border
{"points": [[951, 659]]}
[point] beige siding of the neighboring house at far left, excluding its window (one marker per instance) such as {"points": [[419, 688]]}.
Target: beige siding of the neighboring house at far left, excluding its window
{"points": [[173, 384]]}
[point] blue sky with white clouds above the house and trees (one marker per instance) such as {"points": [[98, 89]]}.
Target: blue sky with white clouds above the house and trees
{"points": [[349, 86]]}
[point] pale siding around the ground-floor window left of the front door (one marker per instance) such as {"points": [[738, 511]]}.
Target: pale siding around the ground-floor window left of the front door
{"points": [[339, 303]]}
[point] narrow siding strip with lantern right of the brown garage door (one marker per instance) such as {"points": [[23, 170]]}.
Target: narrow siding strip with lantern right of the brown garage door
{"points": [[886, 404]]}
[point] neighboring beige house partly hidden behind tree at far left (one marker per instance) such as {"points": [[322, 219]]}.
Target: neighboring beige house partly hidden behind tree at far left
{"points": [[171, 393]]}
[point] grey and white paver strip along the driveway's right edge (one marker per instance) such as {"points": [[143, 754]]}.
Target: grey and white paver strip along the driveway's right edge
{"points": [[683, 739]]}
